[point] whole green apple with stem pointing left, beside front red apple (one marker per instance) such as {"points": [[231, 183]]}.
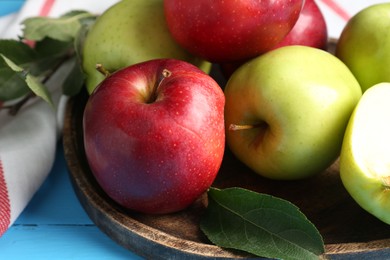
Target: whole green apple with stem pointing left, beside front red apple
{"points": [[286, 111]]}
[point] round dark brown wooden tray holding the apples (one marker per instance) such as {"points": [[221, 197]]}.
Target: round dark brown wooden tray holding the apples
{"points": [[346, 228]]}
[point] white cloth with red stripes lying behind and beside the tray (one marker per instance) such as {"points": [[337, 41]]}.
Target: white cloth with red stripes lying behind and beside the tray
{"points": [[28, 140]]}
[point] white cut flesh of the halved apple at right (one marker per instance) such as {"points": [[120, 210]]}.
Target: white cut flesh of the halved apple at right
{"points": [[371, 133]]}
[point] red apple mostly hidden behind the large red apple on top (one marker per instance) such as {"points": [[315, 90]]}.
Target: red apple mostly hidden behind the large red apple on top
{"points": [[310, 29]]}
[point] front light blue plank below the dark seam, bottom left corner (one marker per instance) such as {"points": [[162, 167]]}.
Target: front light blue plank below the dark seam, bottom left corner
{"points": [[60, 242]]}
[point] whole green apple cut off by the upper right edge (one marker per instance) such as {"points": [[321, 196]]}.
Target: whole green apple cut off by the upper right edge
{"points": [[364, 45]]}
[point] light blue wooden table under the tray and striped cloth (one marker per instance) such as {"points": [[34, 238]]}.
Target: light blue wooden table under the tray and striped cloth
{"points": [[54, 225]]}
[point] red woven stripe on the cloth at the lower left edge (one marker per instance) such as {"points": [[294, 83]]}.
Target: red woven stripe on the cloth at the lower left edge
{"points": [[5, 208]]}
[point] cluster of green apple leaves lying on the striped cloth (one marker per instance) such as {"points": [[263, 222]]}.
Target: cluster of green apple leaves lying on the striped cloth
{"points": [[25, 69]]}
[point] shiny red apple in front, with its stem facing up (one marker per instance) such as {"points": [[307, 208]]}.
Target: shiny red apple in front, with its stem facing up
{"points": [[154, 135]]}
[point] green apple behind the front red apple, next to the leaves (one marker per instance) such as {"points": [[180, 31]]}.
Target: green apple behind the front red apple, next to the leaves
{"points": [[129, 32]]}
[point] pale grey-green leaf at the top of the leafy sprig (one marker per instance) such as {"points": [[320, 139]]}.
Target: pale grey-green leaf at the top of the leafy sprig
{"points": [[63, 28]]}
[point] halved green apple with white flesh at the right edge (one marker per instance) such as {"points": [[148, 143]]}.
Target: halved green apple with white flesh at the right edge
{"points": [[365, 154]]}
